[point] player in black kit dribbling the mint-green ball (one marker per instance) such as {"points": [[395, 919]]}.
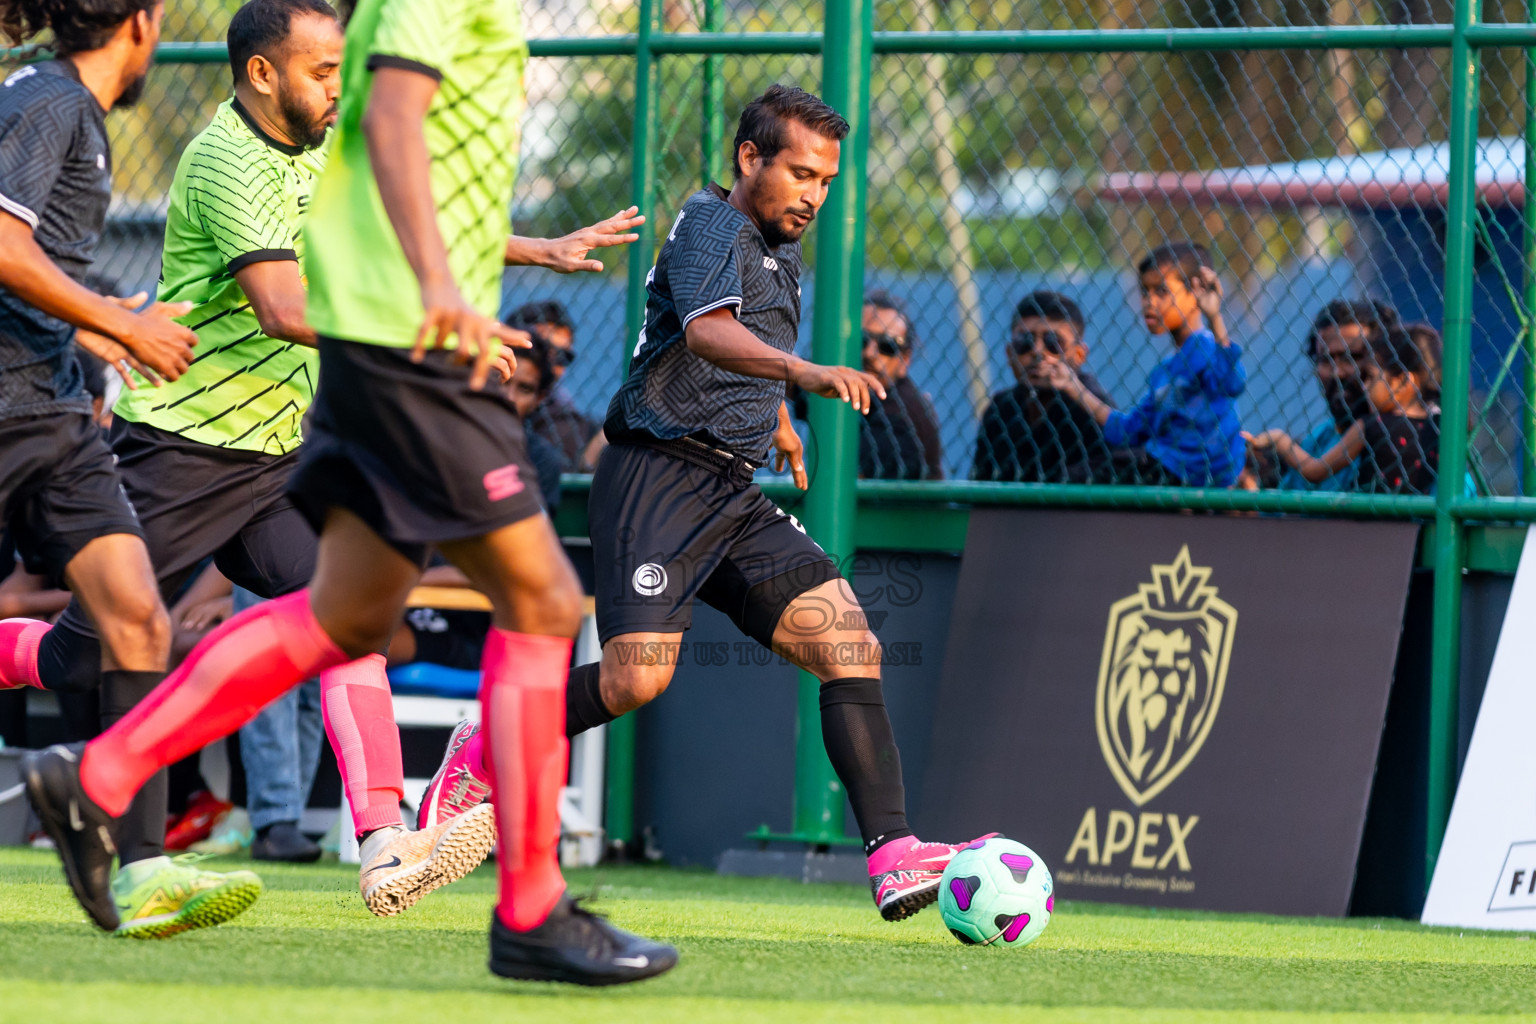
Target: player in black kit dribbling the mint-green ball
{"points": [[674, 510]]}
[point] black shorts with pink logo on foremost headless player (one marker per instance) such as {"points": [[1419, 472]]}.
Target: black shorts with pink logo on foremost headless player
{"points": [[412, 451]]}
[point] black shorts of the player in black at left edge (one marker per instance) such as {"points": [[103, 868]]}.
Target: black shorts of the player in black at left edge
{"points": [[59, 489]]}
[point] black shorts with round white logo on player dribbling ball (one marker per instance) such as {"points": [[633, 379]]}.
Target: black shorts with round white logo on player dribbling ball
{"points": [[666, 532]]}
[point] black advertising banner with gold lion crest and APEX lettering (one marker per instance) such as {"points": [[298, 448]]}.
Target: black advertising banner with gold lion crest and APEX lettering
{"points": [[1171, 710]]}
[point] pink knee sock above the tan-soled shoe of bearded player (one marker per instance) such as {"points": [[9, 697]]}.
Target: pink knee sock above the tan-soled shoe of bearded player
{"points": [[360, 721]]}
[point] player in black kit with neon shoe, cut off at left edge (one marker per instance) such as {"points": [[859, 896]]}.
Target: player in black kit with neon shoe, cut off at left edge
{"points": [[61, 492]]}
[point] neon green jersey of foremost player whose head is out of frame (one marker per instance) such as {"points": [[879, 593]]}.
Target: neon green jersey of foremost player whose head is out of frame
{"points": [[362, 286]]}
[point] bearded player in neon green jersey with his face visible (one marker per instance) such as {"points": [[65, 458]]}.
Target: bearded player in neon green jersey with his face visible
{"points": [[207, 458]]}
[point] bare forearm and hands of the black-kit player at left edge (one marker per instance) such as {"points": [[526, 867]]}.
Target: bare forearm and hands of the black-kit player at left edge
{"points": [[151, 339]]}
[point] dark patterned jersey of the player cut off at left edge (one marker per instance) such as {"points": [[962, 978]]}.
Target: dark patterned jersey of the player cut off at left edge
{"points": [[56, 176]]}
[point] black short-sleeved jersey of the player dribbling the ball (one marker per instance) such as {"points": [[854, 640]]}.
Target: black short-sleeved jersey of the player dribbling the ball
{"points": [[713, 259]]}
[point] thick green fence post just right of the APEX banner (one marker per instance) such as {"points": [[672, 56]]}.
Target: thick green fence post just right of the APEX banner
{"points": [[1466, 67]]}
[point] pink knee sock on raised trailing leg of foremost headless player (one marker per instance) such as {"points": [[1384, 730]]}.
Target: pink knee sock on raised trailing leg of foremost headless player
{"points": [[234, 673]]}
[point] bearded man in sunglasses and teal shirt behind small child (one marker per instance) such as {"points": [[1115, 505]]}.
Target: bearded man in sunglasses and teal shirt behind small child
{"points": [[1340, 348]]}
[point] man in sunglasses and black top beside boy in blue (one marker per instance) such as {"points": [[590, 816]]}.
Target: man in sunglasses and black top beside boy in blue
{"points": [[1033, 432]]}
